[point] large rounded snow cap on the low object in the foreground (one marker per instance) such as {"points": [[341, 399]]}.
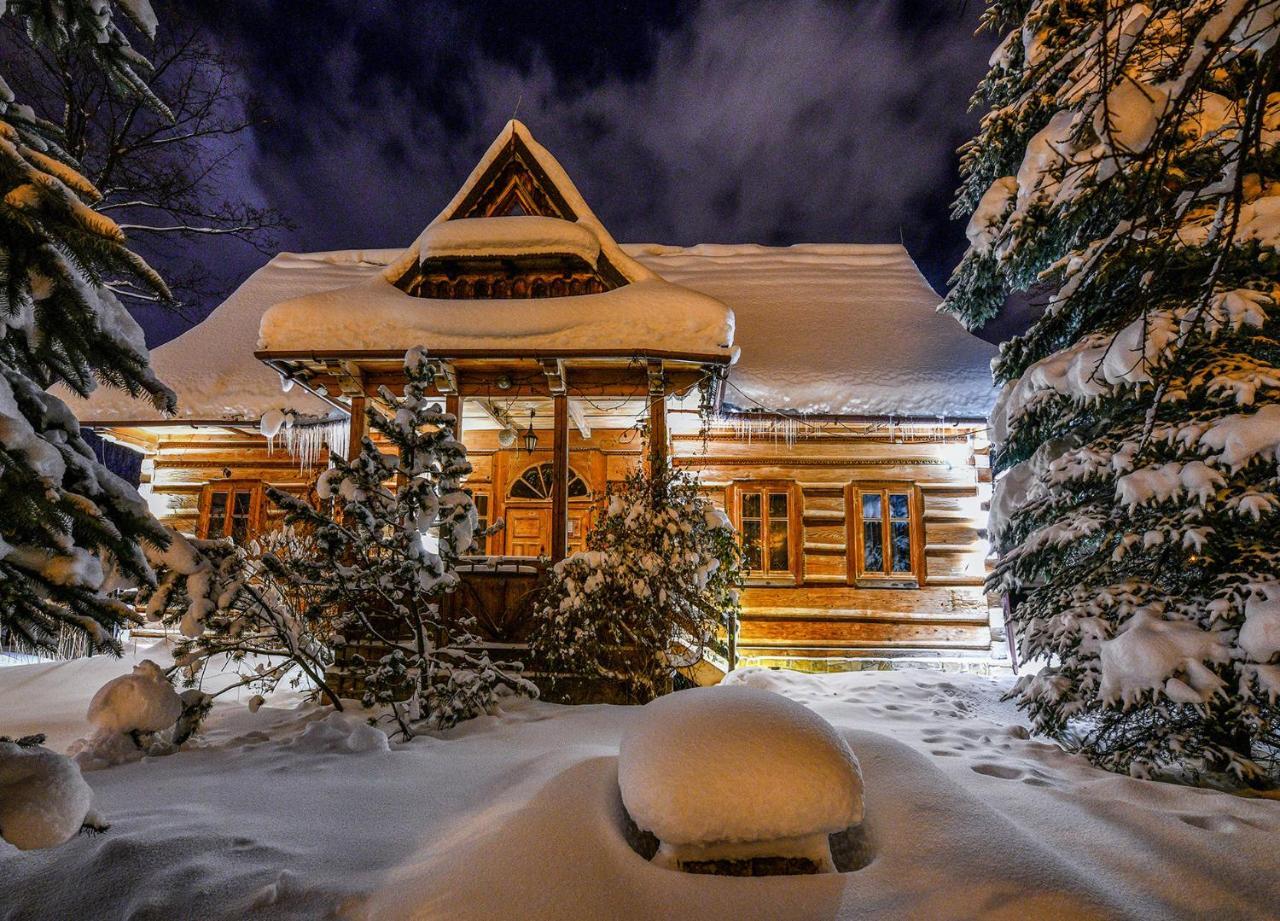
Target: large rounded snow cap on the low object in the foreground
{"points": [[735, 766]]}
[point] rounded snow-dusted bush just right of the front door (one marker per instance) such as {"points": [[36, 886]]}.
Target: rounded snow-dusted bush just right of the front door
{"points": [[657, 585]]}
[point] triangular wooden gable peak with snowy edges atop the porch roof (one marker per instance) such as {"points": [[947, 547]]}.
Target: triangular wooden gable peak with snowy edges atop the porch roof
{"points": [[516, 176]]}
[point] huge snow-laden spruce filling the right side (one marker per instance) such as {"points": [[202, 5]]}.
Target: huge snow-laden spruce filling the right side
{"points": [[1128, 171]]}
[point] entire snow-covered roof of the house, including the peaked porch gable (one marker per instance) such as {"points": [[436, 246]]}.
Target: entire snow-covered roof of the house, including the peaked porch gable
{"points": [[842, 329]]}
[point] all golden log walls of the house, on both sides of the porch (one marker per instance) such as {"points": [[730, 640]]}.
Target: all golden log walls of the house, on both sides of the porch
{"points": [[820, 612]]}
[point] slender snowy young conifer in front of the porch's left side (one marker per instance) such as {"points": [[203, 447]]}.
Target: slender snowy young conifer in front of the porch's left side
{"points": [[388, 535]]}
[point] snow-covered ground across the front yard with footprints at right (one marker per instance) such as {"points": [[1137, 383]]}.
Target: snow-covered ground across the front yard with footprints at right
{"points": [[292, 813]]}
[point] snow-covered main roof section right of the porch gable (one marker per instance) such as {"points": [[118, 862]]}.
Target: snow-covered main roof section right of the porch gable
{"points": [[833, 328]]}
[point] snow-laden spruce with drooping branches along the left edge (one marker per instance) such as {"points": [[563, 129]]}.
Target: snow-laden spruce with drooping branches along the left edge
{"points": [[68, 525]]}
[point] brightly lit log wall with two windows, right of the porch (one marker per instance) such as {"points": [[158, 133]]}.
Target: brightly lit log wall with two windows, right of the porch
{"points": [[821, 611]]}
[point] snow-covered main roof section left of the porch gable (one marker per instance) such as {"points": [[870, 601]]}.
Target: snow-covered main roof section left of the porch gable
{"points": [[212, 366]]}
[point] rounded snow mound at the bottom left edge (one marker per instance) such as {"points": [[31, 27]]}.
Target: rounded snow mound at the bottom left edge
{"points": [[44, 800]]}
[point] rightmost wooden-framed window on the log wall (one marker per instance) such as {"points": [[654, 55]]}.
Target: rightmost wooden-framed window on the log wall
{"points": [[886, 542]]}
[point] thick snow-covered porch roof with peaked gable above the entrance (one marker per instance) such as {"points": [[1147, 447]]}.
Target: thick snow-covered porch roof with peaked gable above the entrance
{"points": [[647, 313]]}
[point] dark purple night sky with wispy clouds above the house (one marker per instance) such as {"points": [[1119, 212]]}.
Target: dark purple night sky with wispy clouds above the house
{"points": [[771, 122]]}
